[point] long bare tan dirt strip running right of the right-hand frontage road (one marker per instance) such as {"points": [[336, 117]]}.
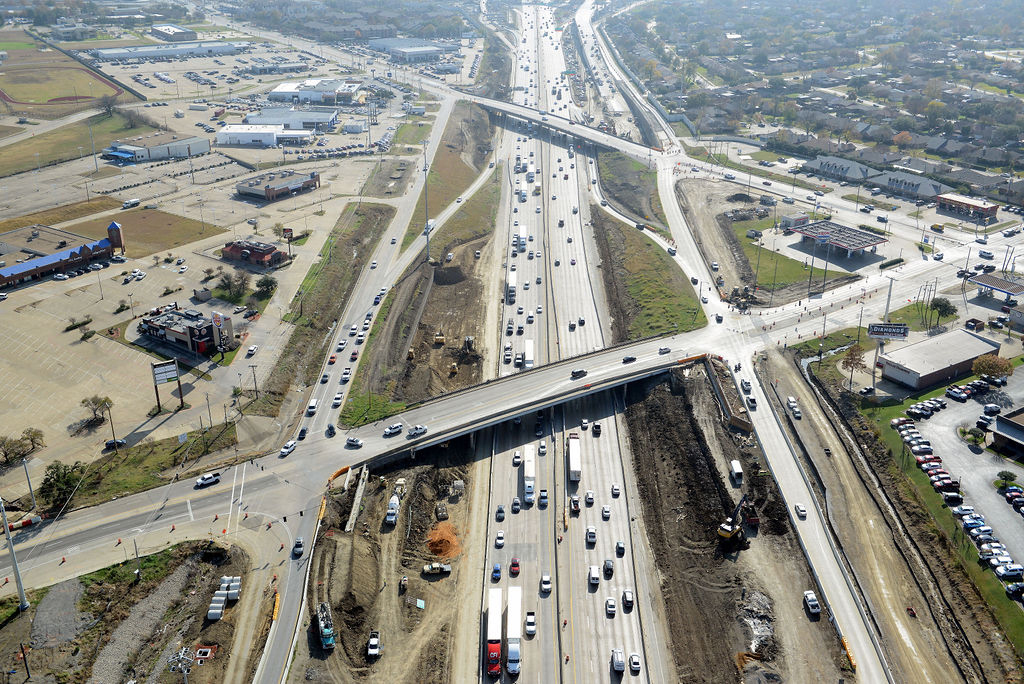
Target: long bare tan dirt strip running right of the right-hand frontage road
{"points": [[915, 647]]}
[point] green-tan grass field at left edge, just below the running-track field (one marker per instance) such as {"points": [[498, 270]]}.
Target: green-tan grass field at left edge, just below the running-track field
{"points": [[63, 144]]}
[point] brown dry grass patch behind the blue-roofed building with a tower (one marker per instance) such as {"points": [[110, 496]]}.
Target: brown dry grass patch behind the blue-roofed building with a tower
{"points": [[149, 231]]}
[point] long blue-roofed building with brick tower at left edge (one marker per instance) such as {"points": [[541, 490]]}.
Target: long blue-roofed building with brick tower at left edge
{"points": [[49, 253]]}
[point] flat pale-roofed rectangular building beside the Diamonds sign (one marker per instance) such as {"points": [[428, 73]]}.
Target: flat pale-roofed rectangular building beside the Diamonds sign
{"points": [[936, 360]]}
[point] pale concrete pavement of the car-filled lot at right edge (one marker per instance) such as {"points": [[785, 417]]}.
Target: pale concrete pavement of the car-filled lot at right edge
{"points": [[977, 471]]}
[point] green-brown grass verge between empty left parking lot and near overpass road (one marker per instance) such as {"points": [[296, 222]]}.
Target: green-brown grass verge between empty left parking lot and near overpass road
{"points": [[138, 468]]}
